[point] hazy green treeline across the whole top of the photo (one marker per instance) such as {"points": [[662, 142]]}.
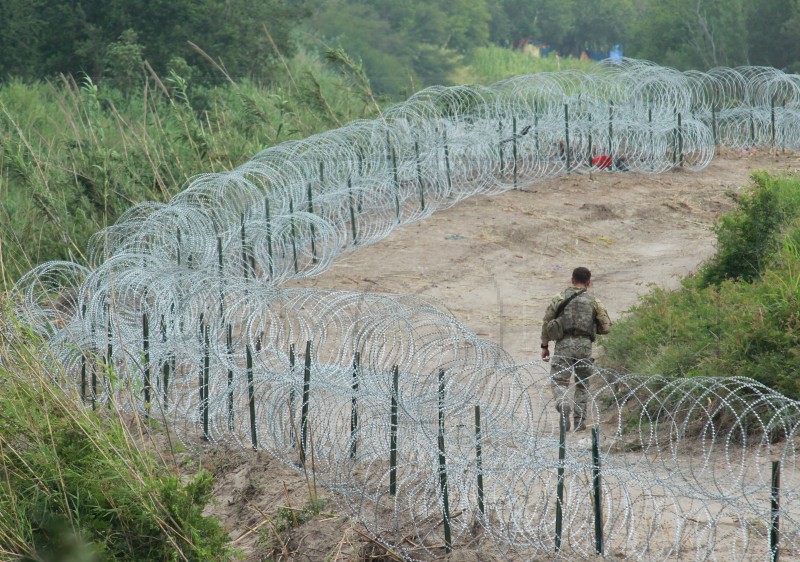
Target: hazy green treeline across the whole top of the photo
{"points": [[403, 44]]}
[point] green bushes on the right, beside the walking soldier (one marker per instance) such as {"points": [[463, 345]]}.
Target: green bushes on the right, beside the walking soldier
{"points": [[740, 314]]}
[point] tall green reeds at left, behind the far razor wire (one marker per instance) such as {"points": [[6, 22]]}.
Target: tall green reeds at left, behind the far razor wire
{"points": [[74, 154]]}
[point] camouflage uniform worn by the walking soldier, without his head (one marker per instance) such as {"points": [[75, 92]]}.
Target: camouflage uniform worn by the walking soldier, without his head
{"points": [[583, 317]]}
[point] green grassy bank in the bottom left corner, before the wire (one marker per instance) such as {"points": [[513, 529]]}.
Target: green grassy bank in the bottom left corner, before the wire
{"points": [[77, 485]]}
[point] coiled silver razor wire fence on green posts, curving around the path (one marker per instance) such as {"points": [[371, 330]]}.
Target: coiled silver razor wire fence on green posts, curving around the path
{"points": [[429, 435]]}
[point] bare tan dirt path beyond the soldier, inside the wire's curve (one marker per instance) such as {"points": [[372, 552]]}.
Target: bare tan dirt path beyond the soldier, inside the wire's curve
{"points": [[496, 261]]}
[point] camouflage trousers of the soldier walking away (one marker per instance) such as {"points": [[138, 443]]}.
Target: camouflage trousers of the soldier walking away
{"points": [[572, 356]]}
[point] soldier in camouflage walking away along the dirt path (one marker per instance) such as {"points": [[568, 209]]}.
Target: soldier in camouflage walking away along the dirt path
{"points": [[573, 319]]}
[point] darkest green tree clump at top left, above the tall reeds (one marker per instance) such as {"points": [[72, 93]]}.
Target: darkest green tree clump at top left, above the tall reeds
{"points": [[48, 37]]}
